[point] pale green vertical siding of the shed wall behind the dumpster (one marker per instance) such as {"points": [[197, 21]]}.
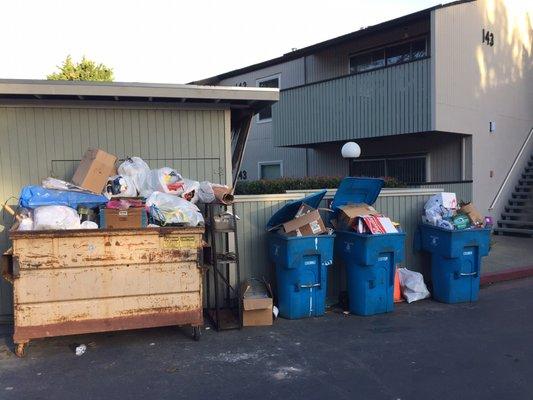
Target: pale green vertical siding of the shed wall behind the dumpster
{"points": [[39, 141]]}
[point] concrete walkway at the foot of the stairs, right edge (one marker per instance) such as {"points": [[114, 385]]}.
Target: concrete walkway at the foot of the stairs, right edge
{"points": [[508, 252]]}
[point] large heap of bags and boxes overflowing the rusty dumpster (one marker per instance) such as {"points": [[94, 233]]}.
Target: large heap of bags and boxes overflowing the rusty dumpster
{"points": [[103, 196]]}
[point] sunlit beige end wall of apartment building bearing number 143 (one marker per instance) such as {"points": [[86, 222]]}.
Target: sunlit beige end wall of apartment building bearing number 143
{"points": [[475, 83]]}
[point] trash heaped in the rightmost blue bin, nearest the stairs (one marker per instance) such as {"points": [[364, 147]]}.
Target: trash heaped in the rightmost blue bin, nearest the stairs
{"points": [[442, 210]]}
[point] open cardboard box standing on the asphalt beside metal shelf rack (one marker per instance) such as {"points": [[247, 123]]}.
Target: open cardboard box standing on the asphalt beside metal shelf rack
{"points": [[256, 298]]}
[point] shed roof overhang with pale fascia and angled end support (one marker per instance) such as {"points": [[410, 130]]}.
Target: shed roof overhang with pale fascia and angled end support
{"points": [[242, 102]]}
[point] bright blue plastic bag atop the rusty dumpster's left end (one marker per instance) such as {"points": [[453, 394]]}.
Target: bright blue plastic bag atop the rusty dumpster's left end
{"points": [[36, 196]]}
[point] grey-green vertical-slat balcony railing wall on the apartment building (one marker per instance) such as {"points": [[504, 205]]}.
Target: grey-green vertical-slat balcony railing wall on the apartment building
{"points": [[389, 101]]}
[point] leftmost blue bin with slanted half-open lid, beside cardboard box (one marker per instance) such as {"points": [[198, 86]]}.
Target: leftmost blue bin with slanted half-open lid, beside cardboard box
{"points": [[301, 264]]}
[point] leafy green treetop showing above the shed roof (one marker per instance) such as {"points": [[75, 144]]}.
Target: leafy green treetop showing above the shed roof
{"points": [[85, 70]]}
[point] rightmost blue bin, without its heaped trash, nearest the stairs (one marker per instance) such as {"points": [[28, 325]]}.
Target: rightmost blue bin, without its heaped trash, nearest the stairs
{"points": [[455, 261]]}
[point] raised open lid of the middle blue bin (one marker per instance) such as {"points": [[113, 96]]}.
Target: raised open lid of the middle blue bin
{"points": [[357, 190]]}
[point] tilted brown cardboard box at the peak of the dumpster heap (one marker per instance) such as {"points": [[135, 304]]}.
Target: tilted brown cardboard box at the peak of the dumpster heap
{"points": [[95, 168]]}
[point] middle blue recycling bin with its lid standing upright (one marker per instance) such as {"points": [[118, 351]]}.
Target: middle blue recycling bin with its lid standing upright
{"points": [[370, 260]]}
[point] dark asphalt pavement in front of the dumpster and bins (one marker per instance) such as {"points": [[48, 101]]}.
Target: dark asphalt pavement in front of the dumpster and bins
{"points": [[424, 350]]}
